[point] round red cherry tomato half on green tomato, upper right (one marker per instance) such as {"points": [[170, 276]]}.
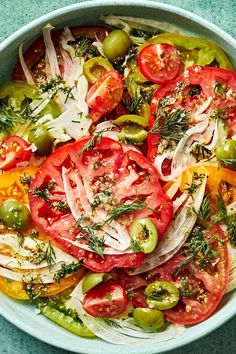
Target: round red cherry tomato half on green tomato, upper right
{"points": [[159, 63]]}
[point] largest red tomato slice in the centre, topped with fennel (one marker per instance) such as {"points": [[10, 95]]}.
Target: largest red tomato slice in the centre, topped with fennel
{"points": [[127, 174]]}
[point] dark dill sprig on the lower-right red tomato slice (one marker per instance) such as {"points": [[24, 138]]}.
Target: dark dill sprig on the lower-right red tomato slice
{"points": [[197, 245]]}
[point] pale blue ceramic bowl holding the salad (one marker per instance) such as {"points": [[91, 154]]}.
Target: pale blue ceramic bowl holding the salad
{"points": [[21, 314]]}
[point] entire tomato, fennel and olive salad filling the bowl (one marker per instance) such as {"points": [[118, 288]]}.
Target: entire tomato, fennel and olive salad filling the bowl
{"points": [[118, 179]]}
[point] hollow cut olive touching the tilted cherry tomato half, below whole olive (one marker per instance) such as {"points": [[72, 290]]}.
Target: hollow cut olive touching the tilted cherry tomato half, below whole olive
{"points": [[95, 68]]}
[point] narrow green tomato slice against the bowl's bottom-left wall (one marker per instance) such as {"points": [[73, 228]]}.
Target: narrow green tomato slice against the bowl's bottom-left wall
{"points": [[66, 322]]}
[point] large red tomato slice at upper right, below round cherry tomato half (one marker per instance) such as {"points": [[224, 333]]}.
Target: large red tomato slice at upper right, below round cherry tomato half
{"points": [[179, 94]]}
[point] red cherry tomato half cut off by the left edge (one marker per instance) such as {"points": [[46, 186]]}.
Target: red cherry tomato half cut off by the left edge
{"points": [[14, 150]]}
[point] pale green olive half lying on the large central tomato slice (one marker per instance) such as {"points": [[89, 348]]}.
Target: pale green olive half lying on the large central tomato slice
{"points": [[144, 236]]}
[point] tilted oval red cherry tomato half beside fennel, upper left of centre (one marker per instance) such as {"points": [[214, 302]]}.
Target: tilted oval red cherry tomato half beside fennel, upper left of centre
{"points": [[106, 93]]}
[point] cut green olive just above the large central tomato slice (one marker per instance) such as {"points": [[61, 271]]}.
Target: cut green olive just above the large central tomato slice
{"points": [[132, 134]]}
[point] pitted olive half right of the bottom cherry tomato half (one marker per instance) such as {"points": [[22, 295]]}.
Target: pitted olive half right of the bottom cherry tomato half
{"points": [[161, 295]]}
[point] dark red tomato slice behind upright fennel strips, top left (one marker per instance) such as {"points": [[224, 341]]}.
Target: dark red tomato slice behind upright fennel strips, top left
{"points": [[35, 53]]}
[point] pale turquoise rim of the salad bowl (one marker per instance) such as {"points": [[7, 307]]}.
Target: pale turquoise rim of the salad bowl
{"points": [[83, 4]]}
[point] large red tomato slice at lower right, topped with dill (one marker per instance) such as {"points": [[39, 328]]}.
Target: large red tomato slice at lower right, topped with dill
{"points": [[208, 286]]}
